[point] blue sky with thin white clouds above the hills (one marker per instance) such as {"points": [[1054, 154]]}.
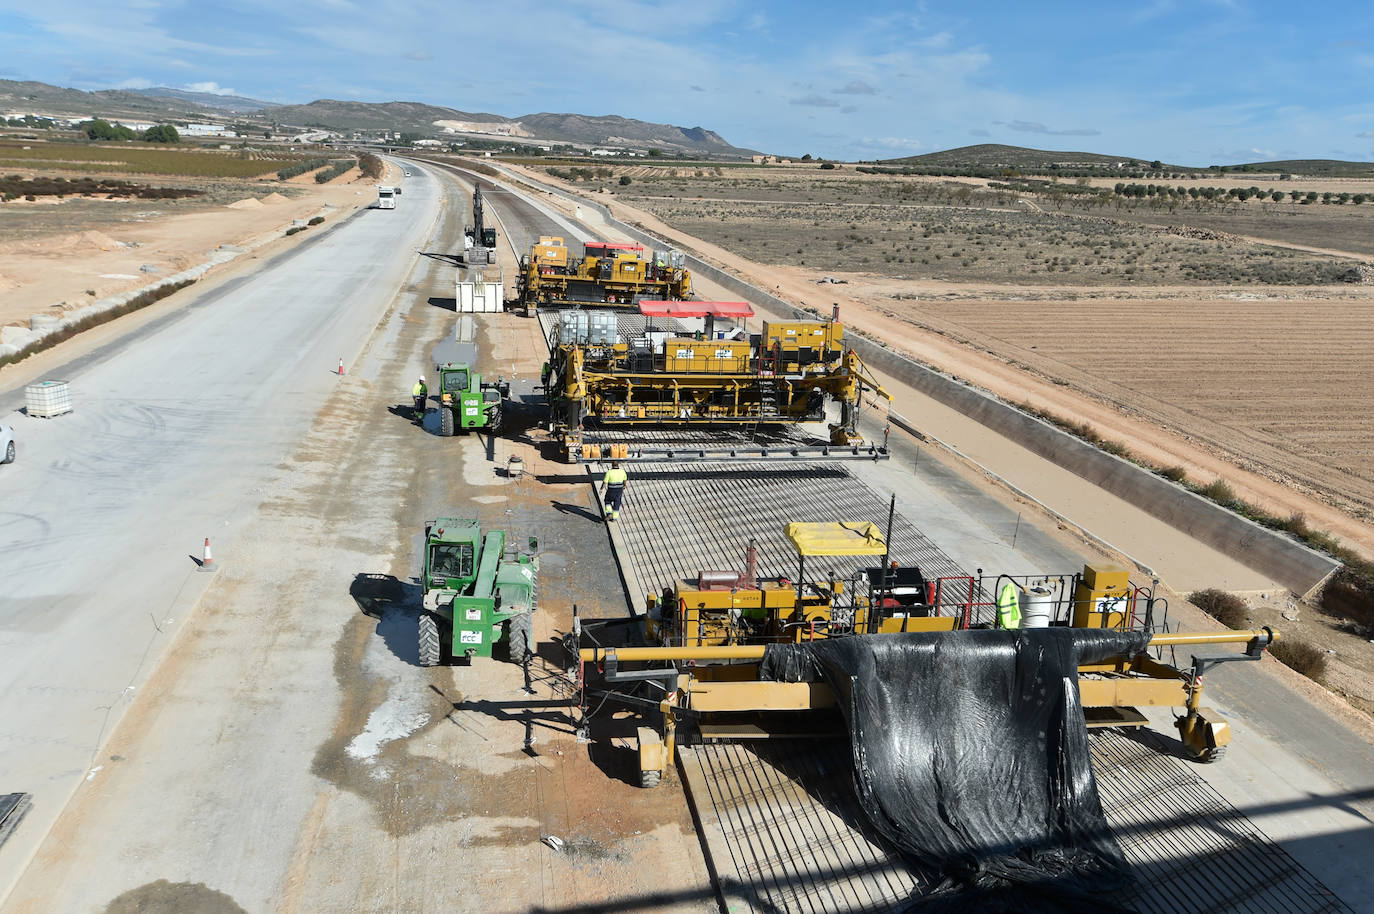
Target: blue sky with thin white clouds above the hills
{"points": [[1188, 82]]}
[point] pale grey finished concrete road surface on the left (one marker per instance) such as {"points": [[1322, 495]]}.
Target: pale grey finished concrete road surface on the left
{"points": [[177, 431]]}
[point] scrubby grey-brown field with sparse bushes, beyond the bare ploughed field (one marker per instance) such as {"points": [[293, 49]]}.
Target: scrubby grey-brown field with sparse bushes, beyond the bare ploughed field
{"points": [[941, 229]]}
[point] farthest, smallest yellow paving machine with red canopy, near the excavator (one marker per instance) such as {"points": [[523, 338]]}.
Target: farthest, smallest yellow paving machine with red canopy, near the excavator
{"points": [[608, 276]]}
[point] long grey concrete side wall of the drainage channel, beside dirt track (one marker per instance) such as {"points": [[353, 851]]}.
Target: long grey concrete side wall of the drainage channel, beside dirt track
{"points": [[1291, 564]]}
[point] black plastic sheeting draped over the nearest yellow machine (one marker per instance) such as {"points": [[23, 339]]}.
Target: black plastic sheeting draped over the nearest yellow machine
{"points": [[972, 758]]}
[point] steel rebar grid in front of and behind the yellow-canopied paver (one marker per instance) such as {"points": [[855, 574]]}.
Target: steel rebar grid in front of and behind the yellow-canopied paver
{"points": [[781, 821]]}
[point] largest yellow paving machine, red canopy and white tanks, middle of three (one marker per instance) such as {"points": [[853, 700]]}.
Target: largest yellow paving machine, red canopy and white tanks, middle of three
{"points": [[695, 365]]}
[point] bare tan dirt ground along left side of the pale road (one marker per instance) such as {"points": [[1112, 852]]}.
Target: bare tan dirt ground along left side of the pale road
{"points": [[58, 258]]}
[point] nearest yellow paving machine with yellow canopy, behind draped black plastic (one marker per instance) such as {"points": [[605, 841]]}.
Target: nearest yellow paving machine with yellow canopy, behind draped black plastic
{"points": [[706, 641]]}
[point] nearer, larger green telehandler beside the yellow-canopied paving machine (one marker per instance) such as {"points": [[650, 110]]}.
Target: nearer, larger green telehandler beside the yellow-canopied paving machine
{"points": [[479, 593]]}
